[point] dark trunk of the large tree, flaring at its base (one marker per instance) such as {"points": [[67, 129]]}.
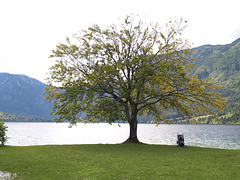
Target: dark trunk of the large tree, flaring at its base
{"points": [[133, 130]]}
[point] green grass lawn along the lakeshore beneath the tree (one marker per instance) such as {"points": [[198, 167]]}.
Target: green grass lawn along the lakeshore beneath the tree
{"points": [[121, 161]]}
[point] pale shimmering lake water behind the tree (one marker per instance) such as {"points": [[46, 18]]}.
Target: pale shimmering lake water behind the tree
{"points": [[214, 136]]}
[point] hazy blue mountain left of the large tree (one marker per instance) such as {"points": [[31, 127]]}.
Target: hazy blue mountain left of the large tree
{"points": [[22, 95]]}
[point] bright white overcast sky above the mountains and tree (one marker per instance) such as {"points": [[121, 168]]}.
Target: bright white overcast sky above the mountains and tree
{"points": [[31, 29]]}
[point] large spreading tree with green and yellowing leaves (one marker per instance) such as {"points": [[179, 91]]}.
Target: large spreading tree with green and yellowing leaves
{"points": [[121, 72]]}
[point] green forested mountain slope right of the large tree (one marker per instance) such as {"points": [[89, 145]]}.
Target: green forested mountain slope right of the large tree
{"points": [[221, 63]]}
